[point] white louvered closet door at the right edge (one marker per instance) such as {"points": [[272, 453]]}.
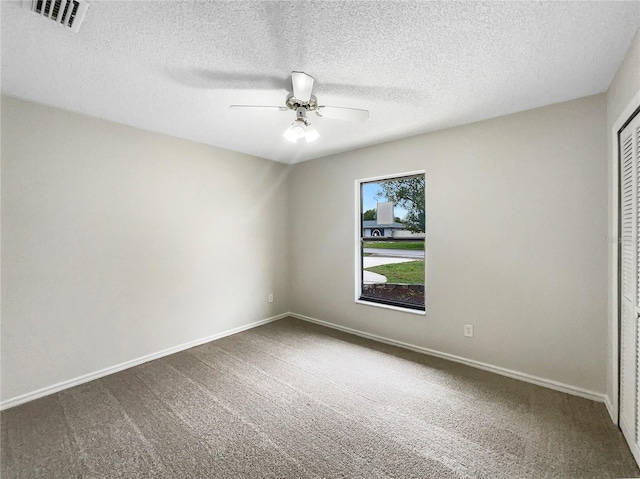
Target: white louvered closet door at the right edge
{"points": [[630, 284]]}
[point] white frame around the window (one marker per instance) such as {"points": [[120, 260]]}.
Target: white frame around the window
{"points": [[358, 248]]}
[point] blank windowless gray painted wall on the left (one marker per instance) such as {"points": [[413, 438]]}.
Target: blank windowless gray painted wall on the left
{"points": [[118, 243]]}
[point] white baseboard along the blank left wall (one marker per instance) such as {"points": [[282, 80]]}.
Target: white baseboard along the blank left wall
{"points": [[54, 388]]}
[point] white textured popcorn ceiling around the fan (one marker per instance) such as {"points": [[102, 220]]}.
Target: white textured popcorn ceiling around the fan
{"points": [[175, 67]]}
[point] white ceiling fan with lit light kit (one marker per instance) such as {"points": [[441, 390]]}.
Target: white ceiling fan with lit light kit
{"points": [[303, 102]]}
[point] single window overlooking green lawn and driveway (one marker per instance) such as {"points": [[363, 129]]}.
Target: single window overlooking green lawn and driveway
{"points": [[391, 247]]}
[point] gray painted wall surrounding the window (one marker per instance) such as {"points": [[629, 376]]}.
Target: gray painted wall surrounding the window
{"points": [[516, 228]]}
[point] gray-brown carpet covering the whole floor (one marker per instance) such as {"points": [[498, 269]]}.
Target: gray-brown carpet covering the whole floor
{"points": [[295, 400]]}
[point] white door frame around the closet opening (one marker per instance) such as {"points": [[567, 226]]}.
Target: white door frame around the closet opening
{"points": [[614, 245]]}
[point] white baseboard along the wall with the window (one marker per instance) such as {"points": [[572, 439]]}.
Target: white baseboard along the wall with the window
{"points": [[548, 383]]}
